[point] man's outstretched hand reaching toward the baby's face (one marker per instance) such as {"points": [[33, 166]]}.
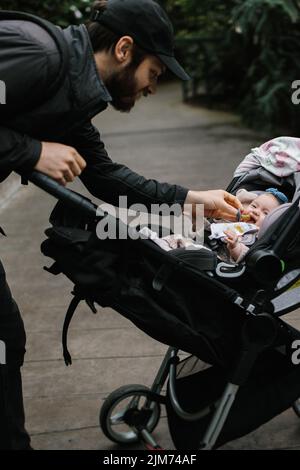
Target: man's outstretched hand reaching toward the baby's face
{"points": [[218, 204]]}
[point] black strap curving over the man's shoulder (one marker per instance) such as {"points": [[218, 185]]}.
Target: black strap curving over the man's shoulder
{"points": [[56, 33]]}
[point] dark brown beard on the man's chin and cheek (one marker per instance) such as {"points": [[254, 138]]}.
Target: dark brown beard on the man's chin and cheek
{"points": [[122, 87]]}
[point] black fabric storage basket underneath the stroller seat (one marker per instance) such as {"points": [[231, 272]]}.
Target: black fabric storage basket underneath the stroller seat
{"points": [[271, 389]]}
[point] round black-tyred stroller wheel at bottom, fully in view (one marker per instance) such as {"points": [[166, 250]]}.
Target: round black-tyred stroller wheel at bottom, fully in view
{"points": [[126, 409]]}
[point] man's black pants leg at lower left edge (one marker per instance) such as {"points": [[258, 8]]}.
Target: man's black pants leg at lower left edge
{"points": [[12, 336]]}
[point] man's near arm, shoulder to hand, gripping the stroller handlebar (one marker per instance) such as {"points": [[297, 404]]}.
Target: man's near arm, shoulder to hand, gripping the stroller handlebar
{"points": [[29, 62]]}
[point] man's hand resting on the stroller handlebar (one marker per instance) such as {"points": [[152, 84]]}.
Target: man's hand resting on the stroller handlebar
{"points": [[61, 162]]}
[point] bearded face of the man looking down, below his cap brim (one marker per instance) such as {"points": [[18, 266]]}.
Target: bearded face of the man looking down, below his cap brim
{"points": [[128, 85]]}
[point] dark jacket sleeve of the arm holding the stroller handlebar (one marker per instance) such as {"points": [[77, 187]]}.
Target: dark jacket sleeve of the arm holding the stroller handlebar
{"points": [[24, 69]]}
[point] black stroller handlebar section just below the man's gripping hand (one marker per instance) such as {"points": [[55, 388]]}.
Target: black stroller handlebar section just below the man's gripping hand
{"points": [[69, 197]]}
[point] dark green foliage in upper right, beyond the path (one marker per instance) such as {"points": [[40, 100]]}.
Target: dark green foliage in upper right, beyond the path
{"points": [[246, 52]]}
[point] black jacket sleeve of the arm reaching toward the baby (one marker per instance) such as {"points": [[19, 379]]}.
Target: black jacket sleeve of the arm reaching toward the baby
{"points": [[108, 180]]}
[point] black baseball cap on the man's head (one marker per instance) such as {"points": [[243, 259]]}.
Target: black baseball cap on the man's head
{"points": [[149, 26]]}
